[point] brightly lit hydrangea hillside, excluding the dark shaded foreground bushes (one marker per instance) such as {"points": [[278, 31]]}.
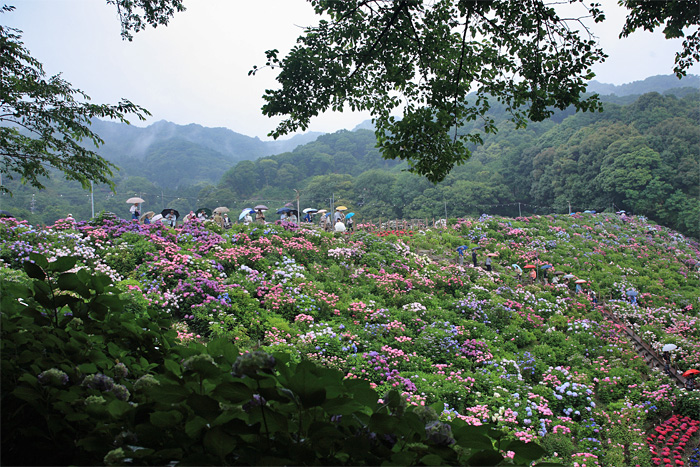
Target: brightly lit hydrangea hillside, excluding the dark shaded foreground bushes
{"points": [[535, 357]]}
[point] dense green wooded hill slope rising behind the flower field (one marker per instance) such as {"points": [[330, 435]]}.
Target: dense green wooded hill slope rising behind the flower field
{"points": [[642, 157]]}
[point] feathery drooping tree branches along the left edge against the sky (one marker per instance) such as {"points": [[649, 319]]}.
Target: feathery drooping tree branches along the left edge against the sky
{"points": [[43, 121]]}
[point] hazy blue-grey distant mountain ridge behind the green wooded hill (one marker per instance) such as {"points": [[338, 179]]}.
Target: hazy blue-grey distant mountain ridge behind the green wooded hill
{"points": [[179, 155]]}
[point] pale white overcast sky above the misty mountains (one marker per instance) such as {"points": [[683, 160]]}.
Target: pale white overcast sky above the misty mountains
{"points": [[195, 70]]}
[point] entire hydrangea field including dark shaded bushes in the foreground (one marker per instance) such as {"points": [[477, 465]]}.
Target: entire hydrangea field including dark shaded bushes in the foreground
{"points": [[389, 312]]}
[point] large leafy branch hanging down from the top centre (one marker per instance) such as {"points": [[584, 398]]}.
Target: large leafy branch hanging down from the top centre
{"points": [[426, 59]]}
